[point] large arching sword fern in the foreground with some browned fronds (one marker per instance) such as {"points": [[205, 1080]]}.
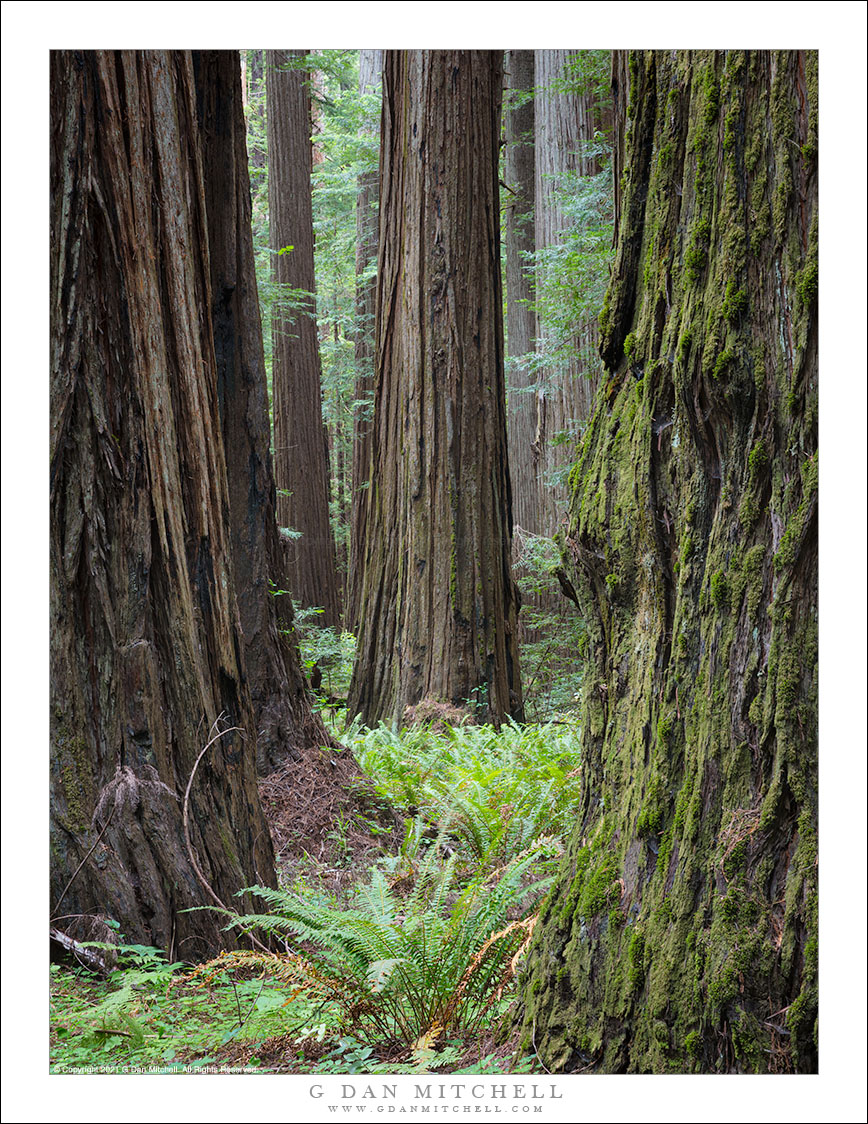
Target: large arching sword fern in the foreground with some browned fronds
{"points": [[403, 969]]}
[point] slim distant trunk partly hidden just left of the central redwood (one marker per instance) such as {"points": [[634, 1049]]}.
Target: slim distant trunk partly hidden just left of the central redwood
{"points": [[367, 233]]}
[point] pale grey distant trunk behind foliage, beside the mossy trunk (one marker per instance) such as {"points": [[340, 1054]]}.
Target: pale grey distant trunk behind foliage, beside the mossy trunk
{"points": [[564, 123]]}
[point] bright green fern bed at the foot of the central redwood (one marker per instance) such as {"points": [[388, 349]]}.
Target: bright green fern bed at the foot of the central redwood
{"points": [[496, 792]]}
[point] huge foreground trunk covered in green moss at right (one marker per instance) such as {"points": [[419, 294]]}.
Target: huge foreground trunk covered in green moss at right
{"points": [[683, 936]]}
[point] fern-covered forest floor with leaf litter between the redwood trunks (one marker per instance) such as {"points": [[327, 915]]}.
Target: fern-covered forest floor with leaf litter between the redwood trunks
{"points": [[405, 903]]}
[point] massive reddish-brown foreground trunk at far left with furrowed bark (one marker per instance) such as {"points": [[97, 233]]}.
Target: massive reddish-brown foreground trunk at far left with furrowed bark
{"points": [[147, 648]]}
